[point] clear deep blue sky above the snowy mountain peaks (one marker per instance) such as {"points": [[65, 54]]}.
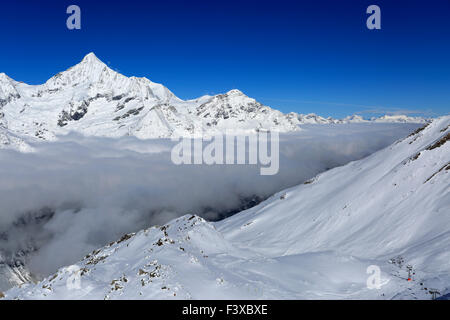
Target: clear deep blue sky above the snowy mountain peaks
{"points": [[304, 56]]}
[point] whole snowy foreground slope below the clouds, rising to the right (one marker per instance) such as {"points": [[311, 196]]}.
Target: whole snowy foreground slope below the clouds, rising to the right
{"points": [[323, 239]]}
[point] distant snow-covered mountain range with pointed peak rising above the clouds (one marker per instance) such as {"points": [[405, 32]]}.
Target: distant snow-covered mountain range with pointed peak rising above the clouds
{"points": [[92, 99]]}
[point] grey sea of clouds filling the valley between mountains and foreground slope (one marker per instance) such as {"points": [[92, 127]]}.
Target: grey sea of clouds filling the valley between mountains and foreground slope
{"points": [[80, 193]]}
